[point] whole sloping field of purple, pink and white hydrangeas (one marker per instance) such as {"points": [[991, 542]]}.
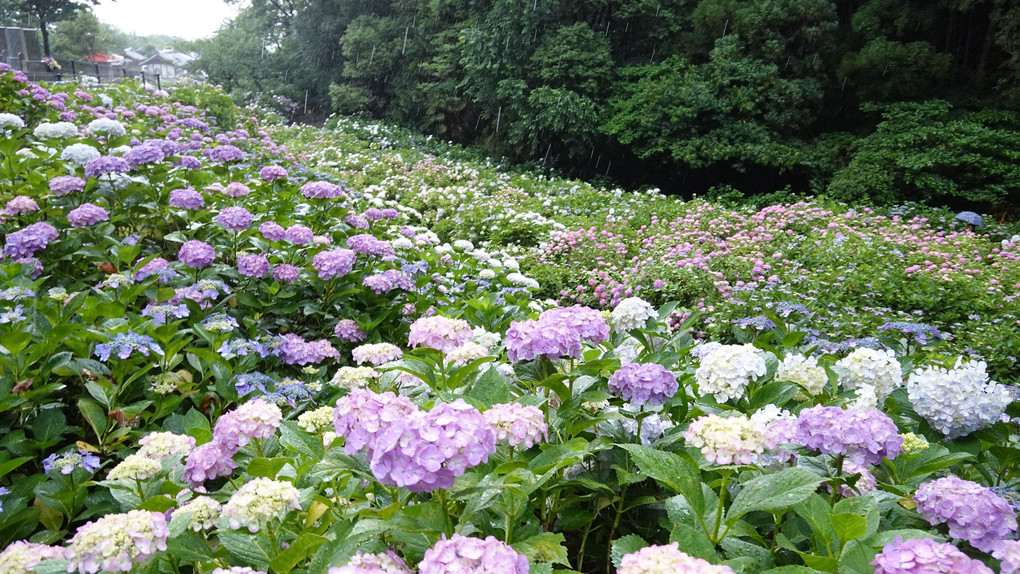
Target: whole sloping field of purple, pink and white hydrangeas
{"points": [[263, 349]]}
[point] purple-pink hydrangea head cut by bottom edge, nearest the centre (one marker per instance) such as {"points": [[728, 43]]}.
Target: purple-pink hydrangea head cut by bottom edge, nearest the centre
{"points": [[473, 556]]}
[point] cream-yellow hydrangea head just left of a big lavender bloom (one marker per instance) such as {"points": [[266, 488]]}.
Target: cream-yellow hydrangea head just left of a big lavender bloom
{"points": [[724, 441]]}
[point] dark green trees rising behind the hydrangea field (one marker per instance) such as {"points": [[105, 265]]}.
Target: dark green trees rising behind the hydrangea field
{"points": [[880, 100]]}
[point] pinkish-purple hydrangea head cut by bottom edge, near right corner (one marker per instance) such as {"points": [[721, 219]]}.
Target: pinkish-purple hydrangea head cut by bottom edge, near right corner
{"points": [[925, 556]]}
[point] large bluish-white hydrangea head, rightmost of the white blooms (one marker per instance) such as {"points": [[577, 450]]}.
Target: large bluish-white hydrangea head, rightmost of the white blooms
{"points": [[959, 401]]}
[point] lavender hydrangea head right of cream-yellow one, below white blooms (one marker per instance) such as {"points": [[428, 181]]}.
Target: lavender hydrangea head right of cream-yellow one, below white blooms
{"points": [[865, 437]]}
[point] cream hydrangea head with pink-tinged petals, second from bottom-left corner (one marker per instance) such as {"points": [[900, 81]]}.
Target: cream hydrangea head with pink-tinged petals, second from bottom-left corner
{"points": [[117, 543]]}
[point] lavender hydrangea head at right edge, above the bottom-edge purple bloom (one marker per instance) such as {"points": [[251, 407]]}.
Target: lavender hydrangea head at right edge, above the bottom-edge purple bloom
{"points": [[974, 512]]}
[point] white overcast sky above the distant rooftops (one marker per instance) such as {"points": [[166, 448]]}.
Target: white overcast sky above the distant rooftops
{"points": [[187, 19]]}
